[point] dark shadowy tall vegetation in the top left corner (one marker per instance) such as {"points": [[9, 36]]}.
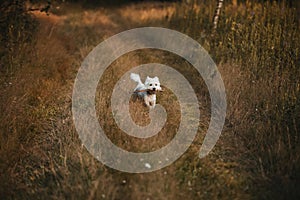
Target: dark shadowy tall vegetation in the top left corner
{"points": [[17, 28]]}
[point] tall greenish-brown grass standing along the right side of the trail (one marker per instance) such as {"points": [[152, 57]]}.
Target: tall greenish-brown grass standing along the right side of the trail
{"points": [[260, 40]]}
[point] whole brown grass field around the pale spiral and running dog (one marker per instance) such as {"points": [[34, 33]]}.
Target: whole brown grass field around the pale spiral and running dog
{"points": [[256, 48]]}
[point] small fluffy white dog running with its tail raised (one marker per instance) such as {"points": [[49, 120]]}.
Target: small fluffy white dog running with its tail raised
{"points": [[147, 90]]}
